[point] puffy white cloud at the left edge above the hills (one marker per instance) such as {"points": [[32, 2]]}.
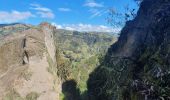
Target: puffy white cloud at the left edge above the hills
{"points": [[14, 16]]}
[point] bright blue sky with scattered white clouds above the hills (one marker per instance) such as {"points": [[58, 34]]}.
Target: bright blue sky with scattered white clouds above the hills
{"points": [[81, 15]]}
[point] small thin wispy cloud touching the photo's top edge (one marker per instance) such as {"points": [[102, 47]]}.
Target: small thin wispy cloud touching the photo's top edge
{"points": [[92, 4]]}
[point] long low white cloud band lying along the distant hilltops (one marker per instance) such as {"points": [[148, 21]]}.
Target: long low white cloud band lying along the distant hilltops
{"points": [[87, 27]]}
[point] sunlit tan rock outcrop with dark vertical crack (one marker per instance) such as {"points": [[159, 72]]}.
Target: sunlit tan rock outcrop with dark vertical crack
{"points": [[24, 61]]}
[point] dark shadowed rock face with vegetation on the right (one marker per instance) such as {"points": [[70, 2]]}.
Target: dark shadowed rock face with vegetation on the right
{"points": [[137, 67]]}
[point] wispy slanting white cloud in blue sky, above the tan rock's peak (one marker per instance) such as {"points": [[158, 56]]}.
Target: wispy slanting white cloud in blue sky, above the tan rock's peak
{"points": [[43, 11]]}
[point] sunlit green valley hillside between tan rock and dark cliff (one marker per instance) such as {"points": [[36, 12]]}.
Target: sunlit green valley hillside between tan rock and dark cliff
{"points": [[83, 50]]}
